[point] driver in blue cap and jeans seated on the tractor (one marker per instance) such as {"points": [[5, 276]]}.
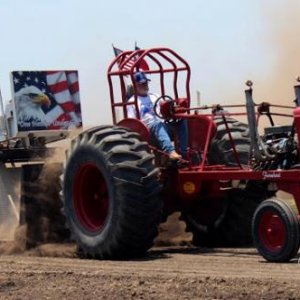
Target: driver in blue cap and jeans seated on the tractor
{"points": [[158, 129]]}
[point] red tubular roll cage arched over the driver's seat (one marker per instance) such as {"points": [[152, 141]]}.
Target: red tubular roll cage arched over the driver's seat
{"points": [[129, 62]]}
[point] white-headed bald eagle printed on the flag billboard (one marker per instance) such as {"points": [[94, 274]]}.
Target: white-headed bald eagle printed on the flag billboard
{"points": [[29, 101]]}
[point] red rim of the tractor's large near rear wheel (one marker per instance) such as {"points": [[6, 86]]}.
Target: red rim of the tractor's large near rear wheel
{"points": [[91, 198]]}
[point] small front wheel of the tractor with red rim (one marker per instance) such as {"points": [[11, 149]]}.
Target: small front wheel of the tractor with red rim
{"points": [[275, 230]]}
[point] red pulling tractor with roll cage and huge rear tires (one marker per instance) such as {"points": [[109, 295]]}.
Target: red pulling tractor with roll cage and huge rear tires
{"points": [[118, 186]]}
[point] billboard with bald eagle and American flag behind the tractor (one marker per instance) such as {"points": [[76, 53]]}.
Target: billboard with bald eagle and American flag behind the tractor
{"points": [[46, 100]]}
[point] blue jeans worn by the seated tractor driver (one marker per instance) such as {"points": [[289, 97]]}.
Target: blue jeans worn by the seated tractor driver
{"points": [[161, 133]]}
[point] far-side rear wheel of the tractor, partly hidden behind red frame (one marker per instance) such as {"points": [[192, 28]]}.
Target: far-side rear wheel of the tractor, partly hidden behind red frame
{"points": [[232, 227]]}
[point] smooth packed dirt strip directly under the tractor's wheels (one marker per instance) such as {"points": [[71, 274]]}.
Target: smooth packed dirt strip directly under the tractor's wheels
{"points": [[239, 263]]}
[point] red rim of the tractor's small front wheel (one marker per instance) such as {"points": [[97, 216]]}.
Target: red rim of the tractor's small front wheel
{"points": [[272, 231]]}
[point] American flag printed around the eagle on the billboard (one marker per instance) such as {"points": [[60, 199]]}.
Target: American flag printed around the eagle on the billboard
{"points": [[62, 88]]}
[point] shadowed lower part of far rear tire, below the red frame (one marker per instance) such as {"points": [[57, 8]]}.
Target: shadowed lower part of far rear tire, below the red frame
{"points": [[232, 227]]}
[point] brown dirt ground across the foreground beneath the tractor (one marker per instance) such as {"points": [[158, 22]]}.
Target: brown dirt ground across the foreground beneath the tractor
{"points": [[54, 272]]}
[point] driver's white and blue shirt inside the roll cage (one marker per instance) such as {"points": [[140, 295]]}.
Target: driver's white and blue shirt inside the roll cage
{"points": [[145, 105]]}
